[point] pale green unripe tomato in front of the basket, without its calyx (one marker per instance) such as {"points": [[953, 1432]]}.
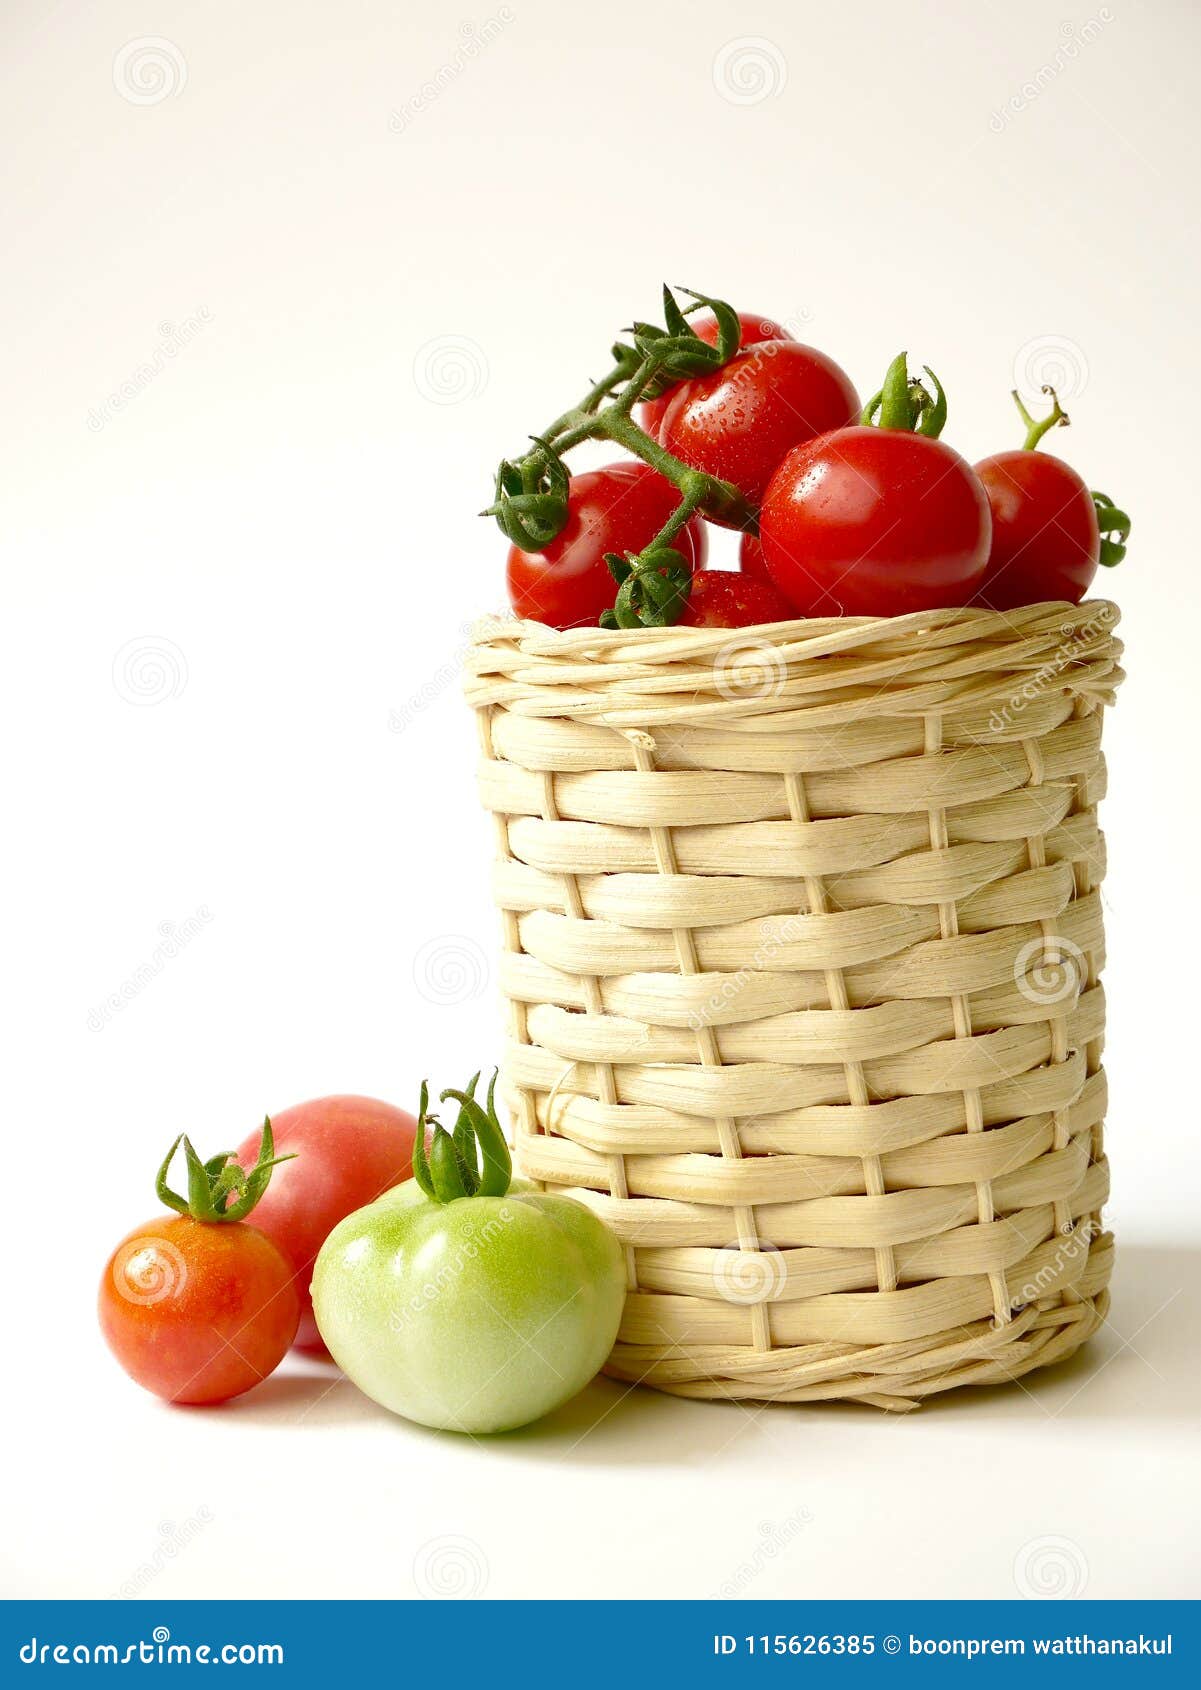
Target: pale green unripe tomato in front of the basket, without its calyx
{"points": [[474, 1316]]}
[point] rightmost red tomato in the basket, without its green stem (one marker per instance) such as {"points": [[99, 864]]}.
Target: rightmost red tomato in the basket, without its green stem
{"points": [[1046, 542]]}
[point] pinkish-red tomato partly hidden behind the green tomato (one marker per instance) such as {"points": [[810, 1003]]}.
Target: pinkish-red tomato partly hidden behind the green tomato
{"points": [[347, 1152]]}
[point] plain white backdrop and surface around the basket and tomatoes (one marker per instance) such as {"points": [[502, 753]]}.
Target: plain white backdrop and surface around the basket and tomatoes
{"points": [[231, 699]]}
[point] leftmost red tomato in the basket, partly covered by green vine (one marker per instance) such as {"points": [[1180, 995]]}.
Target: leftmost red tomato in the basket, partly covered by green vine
{"points": [[619, 508]]}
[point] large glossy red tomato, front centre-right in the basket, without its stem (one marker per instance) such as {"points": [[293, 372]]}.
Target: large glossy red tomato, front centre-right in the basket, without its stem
{"points": [[876, 523]]}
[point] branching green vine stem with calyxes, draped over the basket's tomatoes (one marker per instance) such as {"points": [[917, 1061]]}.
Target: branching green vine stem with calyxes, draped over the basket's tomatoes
{"points": [[531, 493]]}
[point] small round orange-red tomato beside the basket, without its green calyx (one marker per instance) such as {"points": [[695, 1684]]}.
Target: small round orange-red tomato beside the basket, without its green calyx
{"points": [[198, 1312]]}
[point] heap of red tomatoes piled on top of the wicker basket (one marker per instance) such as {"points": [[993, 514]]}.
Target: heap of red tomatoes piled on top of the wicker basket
{"points": [[861, 511]]}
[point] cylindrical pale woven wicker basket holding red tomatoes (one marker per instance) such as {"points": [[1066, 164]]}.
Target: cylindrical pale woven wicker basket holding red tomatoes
{"points": [[802, 961]]}
